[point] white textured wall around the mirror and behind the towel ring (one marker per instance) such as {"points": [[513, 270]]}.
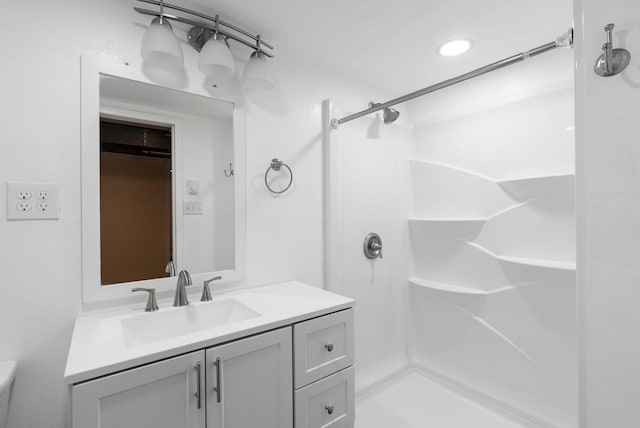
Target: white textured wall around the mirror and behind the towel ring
{"points": [[40, 268]]}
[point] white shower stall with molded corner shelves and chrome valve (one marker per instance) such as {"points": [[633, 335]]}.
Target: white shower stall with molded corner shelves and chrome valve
{"points": [[469, 317]]}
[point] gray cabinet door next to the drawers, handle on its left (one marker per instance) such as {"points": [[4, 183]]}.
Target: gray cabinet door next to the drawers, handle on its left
{"points": [[249, 382]]}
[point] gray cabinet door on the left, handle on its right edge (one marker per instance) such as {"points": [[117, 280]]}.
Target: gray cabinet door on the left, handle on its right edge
{"points": [[163, 394]]}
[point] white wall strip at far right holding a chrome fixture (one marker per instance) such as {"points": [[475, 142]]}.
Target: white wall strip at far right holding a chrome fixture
{"points": [[608, 189]]}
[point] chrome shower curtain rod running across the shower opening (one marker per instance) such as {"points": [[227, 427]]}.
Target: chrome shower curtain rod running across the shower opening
{"points": [[565, 40]]}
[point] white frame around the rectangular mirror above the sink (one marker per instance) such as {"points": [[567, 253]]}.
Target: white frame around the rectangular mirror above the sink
{"points": [[93, 292]]}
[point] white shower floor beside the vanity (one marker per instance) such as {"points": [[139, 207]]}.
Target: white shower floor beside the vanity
{"points": [[414, 400]]}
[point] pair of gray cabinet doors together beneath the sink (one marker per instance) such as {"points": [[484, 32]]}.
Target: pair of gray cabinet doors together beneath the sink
{"points": [[241, 384]]}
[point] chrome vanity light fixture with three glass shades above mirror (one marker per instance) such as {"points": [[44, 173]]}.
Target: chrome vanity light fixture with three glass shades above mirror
{"points": [[210, 36]]}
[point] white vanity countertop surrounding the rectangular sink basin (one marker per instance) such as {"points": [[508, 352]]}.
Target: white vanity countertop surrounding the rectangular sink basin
{"points": [[98, 346]]}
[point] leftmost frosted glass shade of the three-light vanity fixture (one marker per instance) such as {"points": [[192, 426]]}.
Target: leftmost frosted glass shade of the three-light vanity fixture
{"points": [[160, 47]]}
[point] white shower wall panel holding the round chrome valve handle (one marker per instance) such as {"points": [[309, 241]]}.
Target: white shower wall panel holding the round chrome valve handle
{"points": [[365, 194]]}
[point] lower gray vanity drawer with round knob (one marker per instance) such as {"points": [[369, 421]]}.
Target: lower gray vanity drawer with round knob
{"points": [[328, 403]]}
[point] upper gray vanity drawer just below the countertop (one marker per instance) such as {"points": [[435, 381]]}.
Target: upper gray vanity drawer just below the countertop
{"points": [[322, 346]]}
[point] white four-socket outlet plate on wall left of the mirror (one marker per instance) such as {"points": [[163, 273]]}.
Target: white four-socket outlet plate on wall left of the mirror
{"points": [[33, 201]]}
